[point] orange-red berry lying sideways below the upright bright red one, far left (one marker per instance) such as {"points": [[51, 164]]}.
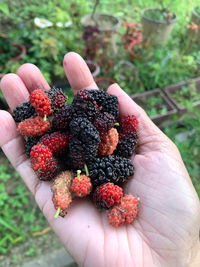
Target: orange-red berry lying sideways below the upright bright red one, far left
{"points": [[33, 127]]}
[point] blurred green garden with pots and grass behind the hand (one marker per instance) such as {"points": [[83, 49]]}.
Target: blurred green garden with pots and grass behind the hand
{"points": [[151, 48]]}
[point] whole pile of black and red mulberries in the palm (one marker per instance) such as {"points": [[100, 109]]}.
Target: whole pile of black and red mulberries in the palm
{"points": [[83, 147]]}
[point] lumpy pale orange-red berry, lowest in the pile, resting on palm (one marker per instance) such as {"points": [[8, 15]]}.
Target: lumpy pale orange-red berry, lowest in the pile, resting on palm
{"points": [[125, 212]]}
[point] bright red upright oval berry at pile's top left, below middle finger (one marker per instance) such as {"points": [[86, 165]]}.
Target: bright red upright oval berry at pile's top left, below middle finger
{"points": [[40, 101]]}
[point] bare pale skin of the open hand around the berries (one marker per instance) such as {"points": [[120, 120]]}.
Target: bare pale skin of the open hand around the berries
{"points": [[166, 231]]}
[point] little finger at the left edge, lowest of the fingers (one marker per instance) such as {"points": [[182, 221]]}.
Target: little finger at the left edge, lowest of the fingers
{"points": [[13, 146]]}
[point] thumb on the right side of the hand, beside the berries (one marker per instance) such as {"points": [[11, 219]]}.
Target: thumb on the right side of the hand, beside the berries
{"points": [[149, 134]]}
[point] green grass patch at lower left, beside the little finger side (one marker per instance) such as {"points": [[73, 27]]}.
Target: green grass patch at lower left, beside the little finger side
{"points": [[19, 215]]}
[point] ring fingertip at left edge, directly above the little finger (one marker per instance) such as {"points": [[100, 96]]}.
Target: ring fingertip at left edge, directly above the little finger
{"points": [[14, 90]]}
